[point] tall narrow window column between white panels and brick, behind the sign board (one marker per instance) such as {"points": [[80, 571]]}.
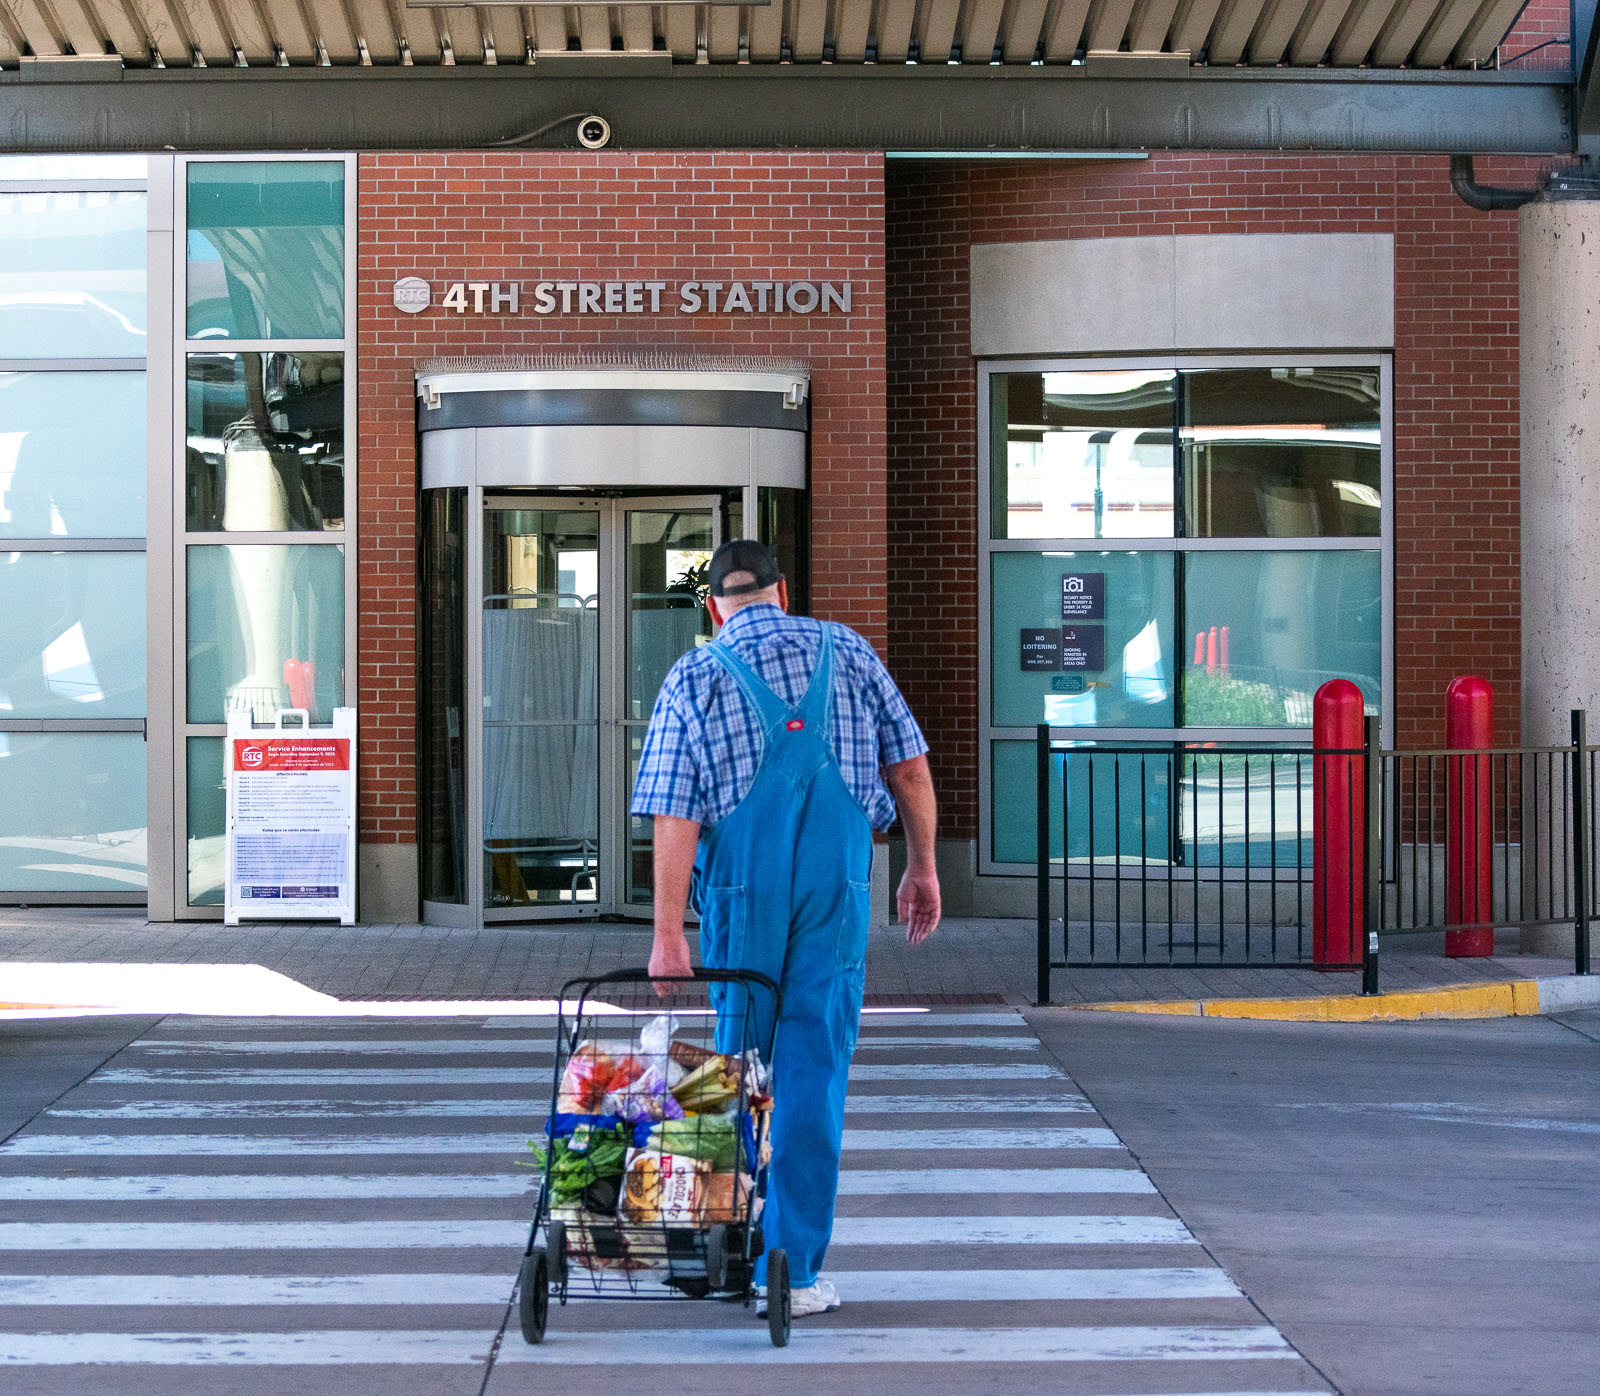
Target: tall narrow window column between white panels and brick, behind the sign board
{"points": [[266, 331]]}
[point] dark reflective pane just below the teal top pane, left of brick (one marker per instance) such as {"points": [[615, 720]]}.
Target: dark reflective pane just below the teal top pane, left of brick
{"points": [[266, 441]]}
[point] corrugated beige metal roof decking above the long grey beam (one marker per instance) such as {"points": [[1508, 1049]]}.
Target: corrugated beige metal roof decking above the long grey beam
{"points": [[1425, 34]]}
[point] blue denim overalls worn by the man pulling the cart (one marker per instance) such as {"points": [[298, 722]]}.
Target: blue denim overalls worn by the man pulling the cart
{"points": [[783, 888]]}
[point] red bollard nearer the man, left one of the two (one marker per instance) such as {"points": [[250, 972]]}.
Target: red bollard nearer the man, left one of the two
{"points": [[1338, 836]]}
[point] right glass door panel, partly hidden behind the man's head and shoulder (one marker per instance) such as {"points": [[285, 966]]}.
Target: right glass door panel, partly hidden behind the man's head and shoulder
{"points": [[668, 547]]}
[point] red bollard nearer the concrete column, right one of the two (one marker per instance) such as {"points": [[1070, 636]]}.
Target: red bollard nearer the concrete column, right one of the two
{"points": [[1470, 819]]}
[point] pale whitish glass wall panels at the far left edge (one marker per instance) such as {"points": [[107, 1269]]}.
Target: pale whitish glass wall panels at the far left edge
{"points": [[74, 321]]}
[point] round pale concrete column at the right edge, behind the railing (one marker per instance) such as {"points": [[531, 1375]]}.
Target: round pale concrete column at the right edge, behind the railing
{"points": [[1561, 478]]}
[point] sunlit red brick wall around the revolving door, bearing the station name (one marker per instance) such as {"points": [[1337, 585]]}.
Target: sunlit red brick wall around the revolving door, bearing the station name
{"points": [[609, 217]]}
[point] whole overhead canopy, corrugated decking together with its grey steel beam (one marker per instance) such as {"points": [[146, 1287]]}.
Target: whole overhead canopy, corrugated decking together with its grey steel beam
{"points": [[1094, 76]]}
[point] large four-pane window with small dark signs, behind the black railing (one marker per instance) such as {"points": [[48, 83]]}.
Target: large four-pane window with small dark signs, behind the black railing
{"points": [[1175, 553]]}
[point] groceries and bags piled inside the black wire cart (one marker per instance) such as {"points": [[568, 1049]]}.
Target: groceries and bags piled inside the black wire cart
{"points": [[654, 1141]]}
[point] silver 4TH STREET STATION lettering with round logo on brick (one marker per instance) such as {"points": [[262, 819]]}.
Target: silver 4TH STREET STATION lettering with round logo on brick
{"points": [[630, 299]]}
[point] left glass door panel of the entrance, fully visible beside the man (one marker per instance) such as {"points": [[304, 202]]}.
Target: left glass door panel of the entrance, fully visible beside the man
{"points": [[542, 707]]}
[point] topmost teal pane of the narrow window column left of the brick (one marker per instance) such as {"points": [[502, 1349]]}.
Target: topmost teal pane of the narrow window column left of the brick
{"points": [[266, 251]]}
